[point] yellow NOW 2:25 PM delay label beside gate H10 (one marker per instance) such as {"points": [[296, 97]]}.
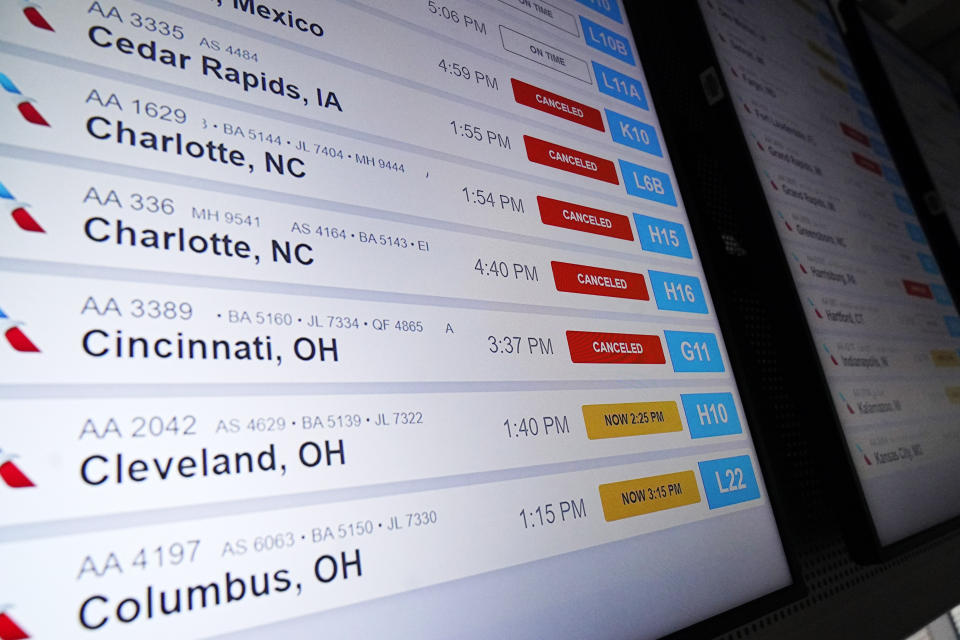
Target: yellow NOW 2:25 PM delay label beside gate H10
{"points": [[631, 419]]}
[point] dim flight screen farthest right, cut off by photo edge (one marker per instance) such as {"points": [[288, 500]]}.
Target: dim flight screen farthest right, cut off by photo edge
{"points": [[930, 109]]}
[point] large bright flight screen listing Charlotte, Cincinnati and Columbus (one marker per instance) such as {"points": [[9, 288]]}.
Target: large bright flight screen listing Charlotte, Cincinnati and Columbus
{"points": [[366, 317]]}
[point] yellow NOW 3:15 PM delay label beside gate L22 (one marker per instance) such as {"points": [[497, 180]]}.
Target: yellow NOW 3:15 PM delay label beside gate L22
{"points": [[645, 495]]}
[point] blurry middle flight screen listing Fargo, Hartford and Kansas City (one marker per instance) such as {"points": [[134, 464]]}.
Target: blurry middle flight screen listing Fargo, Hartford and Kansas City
{"points": [[883, 323]]}
